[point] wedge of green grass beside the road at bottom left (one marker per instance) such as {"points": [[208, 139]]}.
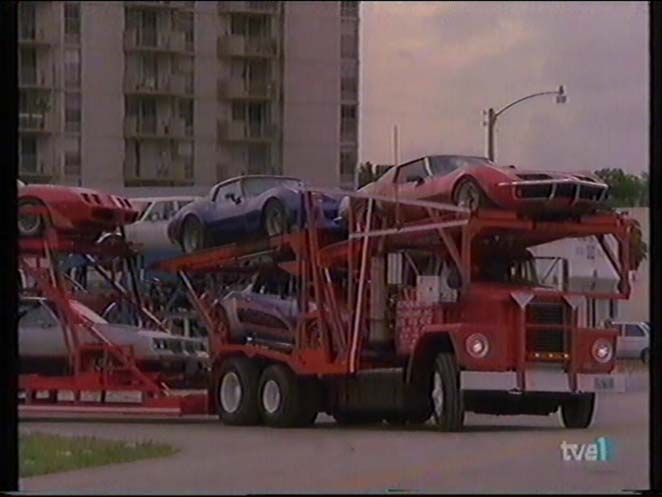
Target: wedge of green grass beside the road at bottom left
{"points": [[41, 453]]}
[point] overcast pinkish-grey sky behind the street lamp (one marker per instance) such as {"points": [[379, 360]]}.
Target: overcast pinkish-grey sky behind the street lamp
{"points": [[432, 67]]}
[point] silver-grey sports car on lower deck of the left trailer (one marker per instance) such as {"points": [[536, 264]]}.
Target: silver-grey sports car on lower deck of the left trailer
{"points": [[42, 349]]}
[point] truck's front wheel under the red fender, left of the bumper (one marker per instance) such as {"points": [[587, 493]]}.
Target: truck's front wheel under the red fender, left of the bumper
{"points": [[448, 405]]}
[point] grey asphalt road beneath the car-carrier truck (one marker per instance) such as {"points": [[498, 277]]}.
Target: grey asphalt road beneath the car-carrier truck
{"points": [[494, 454]]}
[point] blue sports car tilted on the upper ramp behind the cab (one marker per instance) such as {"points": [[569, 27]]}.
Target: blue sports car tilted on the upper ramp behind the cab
{"points": [[243, 208]]}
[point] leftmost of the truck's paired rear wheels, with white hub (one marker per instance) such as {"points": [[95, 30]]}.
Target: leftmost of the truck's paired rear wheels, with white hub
{"points": [[236, 390]]}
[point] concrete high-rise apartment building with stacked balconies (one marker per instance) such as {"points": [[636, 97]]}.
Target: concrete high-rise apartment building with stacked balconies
{"points": [[136, 96]]}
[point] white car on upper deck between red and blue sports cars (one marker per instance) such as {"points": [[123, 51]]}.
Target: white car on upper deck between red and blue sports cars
{"points": [[150, 230]]}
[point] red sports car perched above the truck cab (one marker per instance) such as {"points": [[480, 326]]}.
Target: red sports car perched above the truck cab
{"points": [[477, 182]]}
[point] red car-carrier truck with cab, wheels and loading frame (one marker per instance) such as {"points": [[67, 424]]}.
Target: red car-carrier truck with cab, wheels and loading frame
{"points": [[406, 320]]}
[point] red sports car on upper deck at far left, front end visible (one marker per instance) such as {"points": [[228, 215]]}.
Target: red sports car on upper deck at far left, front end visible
{"points": [[74, 211]]}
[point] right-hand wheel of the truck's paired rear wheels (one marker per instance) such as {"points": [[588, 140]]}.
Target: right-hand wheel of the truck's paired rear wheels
{"points": [[280, 397]]}
